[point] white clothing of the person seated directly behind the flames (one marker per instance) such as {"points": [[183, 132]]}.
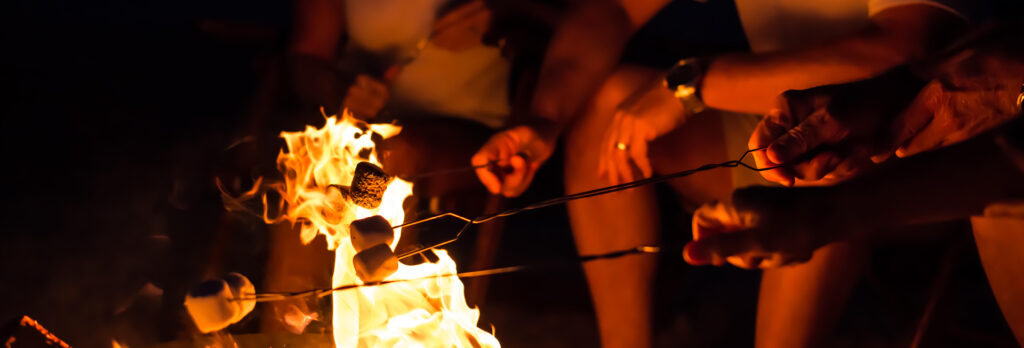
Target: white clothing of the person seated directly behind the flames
{"points": [[472, 84]]}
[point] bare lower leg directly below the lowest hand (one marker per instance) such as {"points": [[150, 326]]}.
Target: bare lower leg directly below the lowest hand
{"points": [[799, 306]]}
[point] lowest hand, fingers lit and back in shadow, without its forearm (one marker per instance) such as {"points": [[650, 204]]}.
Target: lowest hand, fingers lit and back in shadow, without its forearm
{"points": [[764, 228]]}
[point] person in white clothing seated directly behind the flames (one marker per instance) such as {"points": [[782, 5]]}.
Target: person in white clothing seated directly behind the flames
{"points": [[422, 64]]}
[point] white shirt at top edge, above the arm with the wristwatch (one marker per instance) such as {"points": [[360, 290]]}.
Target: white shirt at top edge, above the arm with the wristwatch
{"points": [[779, 25]]}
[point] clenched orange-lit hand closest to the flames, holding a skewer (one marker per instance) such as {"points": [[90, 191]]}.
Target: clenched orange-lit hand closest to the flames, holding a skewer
{"points": [[523, 150]]}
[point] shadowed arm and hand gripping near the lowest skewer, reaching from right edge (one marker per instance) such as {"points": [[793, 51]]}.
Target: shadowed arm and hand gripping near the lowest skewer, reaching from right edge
{"points": [[775, 227]]}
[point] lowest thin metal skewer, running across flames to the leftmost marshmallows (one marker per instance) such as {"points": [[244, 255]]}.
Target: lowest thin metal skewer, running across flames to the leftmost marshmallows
{"points": [[270, 297]]}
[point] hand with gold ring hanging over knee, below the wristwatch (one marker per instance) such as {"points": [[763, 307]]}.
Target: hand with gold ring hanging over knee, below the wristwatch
{"points": [[650, 113]]}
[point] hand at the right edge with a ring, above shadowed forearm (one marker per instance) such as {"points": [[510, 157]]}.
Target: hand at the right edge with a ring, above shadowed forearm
{"points": [[974, 93]]}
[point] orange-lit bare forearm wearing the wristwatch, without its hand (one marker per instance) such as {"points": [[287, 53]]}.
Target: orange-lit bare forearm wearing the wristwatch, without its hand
{"points": [[751, 83]]}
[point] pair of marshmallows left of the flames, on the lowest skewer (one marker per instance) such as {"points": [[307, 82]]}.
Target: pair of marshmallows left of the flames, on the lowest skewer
{"points": [[218, 303]]}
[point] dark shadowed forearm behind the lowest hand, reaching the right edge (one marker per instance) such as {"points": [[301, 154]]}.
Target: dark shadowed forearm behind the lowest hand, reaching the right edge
{"points": [[949, 184]]}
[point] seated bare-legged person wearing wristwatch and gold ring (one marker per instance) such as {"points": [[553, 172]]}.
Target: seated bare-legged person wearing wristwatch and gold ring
{"points": [[632, 127]]}
